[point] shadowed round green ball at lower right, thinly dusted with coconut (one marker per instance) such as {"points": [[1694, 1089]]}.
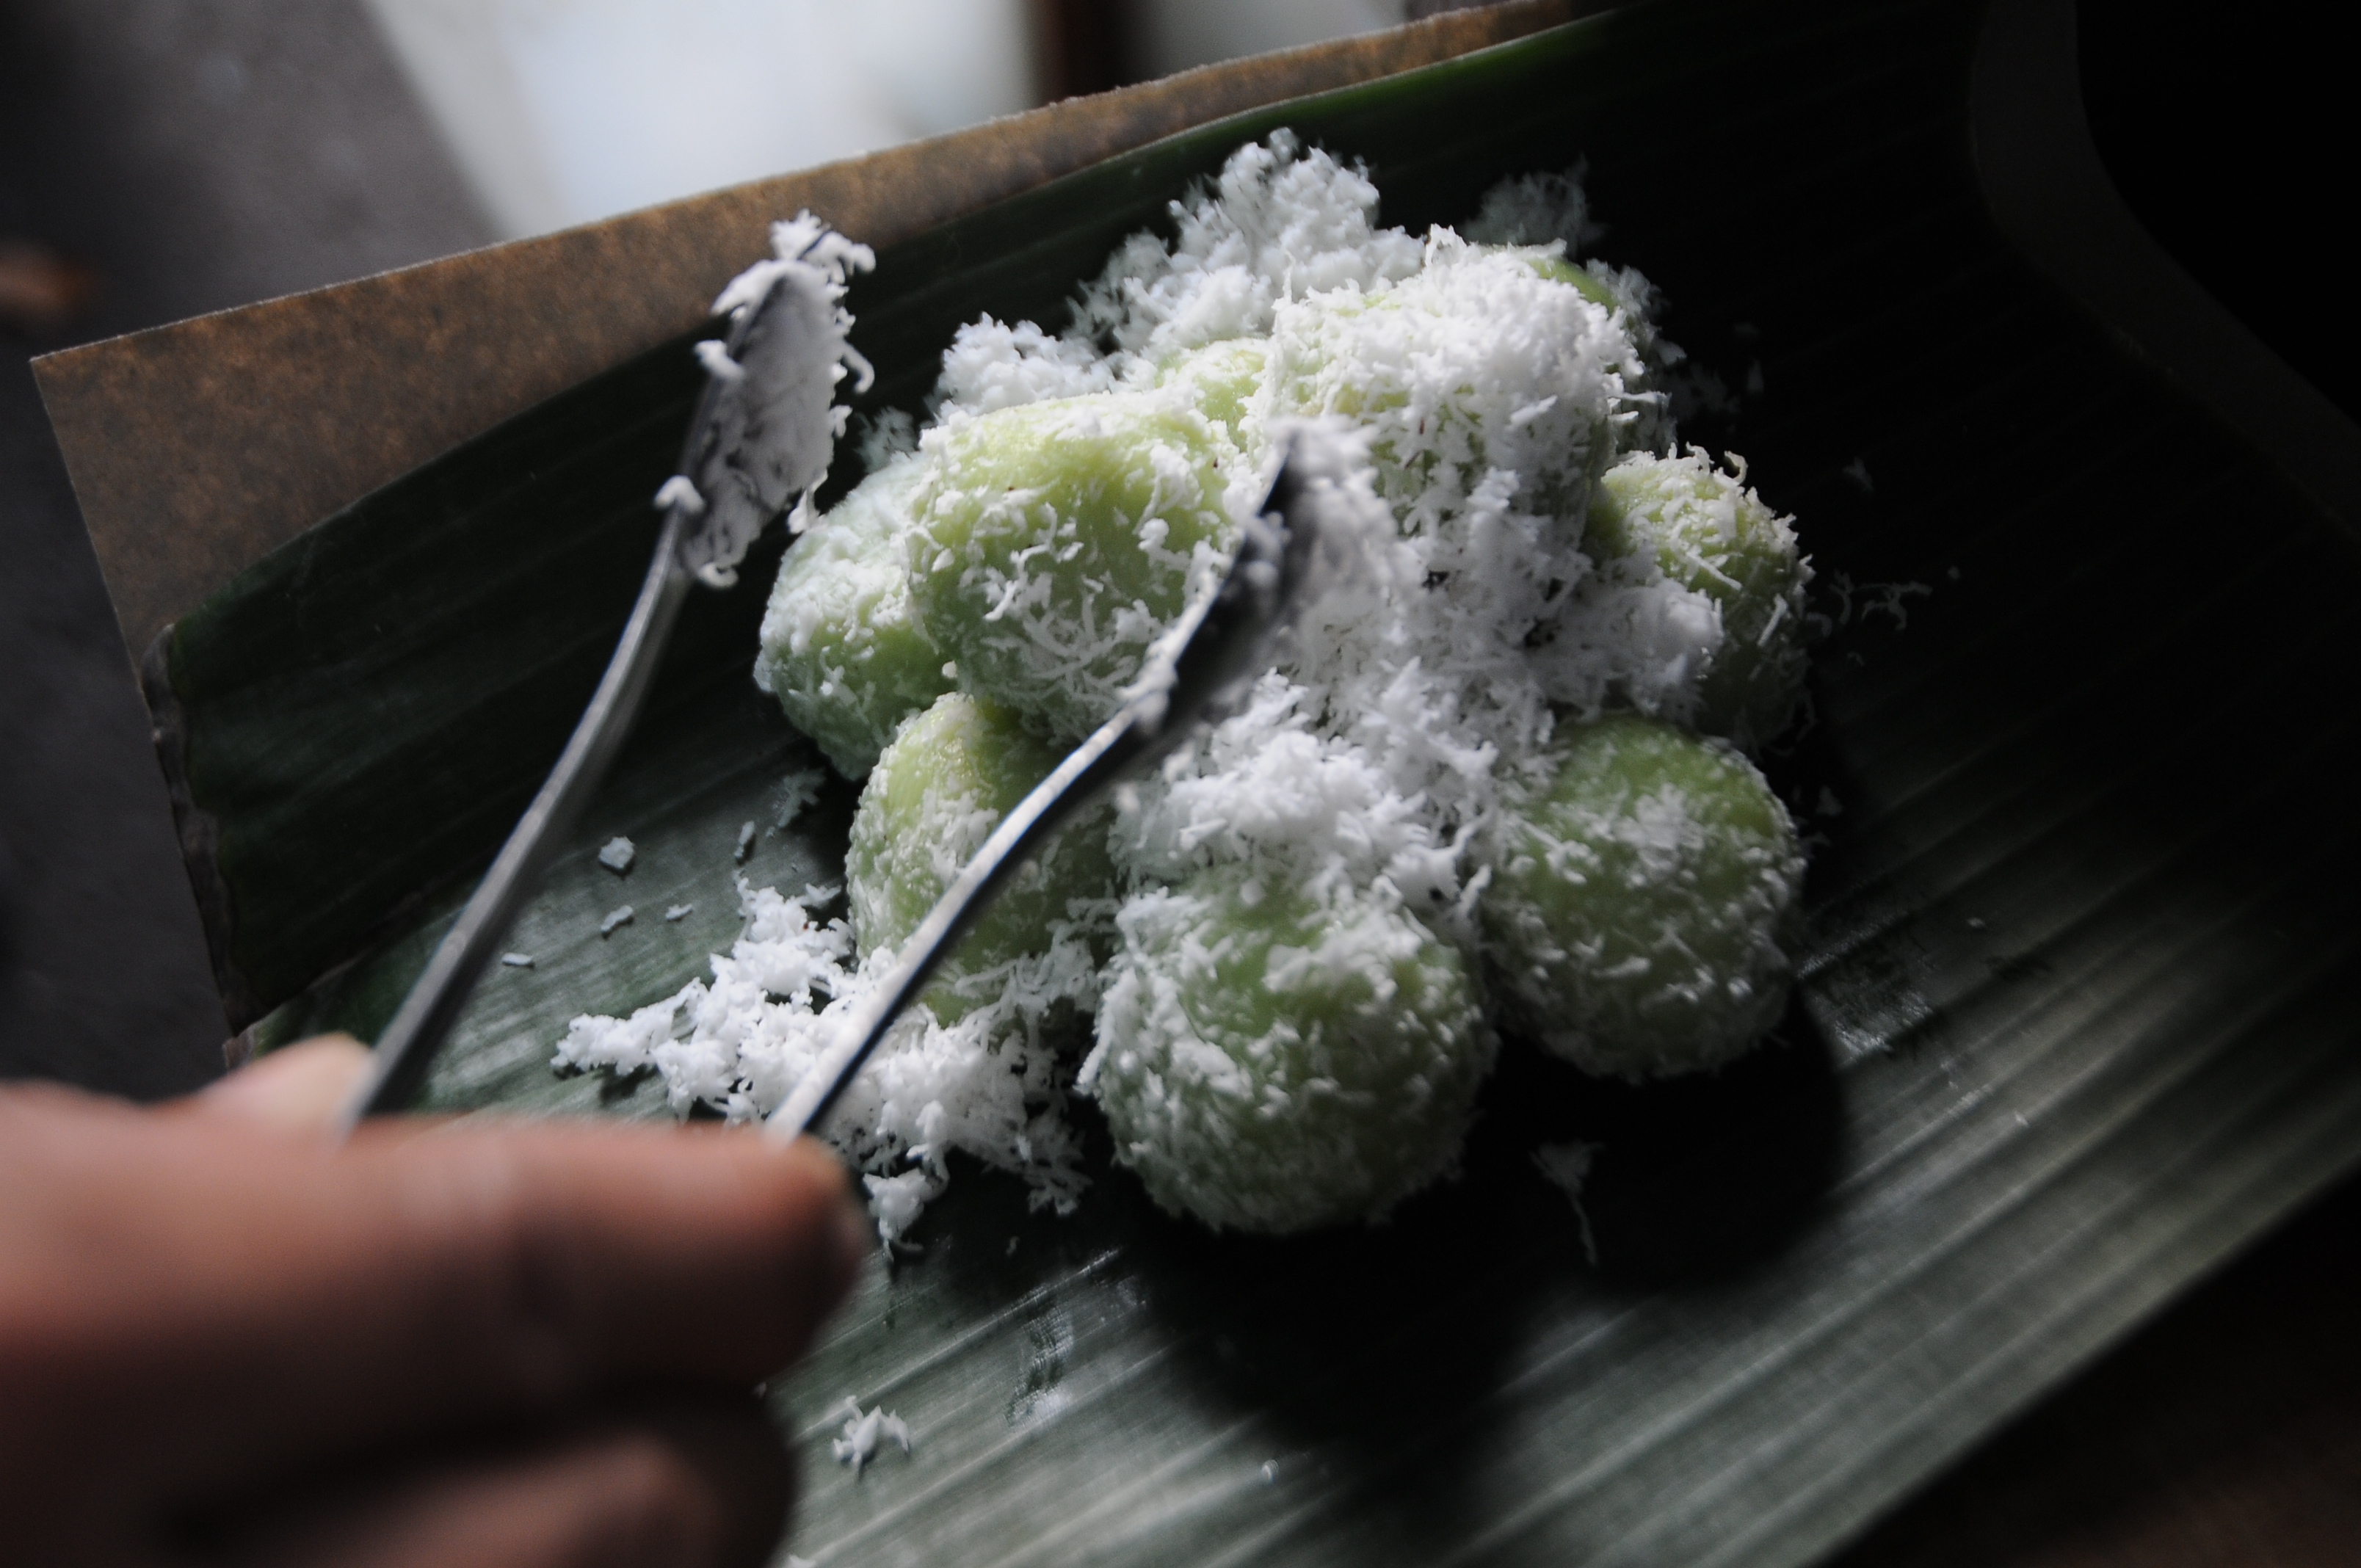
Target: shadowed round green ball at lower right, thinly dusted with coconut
{"points": [[1640, 896]]}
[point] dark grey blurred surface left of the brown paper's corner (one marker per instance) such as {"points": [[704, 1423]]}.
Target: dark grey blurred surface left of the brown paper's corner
{"points": [[190, 157]]}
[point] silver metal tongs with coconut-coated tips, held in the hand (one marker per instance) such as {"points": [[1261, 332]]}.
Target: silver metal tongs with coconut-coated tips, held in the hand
{"points": [[761, 440]]}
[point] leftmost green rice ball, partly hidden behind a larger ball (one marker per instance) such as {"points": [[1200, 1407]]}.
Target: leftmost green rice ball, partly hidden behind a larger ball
{"points": [[842, 648]]}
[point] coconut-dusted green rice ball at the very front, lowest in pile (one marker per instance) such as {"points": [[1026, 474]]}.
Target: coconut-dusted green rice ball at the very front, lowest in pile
{"points": [[1274, 1064]]}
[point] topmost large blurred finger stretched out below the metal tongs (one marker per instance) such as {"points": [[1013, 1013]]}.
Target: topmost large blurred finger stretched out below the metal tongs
{"points": [[207, 1307]]}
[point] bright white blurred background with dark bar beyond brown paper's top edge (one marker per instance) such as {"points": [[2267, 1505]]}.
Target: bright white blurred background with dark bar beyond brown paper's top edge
{"points": [[565, 112]]}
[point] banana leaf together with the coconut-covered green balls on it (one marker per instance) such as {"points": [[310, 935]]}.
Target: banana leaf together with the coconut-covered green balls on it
{"points": [[2048, 1028]]}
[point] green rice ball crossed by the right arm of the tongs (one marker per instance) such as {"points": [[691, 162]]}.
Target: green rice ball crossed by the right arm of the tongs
{"points": [[936, 795]]}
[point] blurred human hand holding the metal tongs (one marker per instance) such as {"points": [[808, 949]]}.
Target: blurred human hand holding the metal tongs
{"points": [[225, 1340]]}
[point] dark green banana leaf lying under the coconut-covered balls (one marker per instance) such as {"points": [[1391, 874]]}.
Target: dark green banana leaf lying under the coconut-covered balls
{"points": [[2072, 1019]]}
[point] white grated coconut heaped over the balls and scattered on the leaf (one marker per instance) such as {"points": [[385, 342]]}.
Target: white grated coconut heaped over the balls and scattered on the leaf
{"points": [[1371, 757]]}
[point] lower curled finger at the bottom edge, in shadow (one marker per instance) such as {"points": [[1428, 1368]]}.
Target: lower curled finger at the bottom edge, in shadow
{"points": [[698, 1484]]}
